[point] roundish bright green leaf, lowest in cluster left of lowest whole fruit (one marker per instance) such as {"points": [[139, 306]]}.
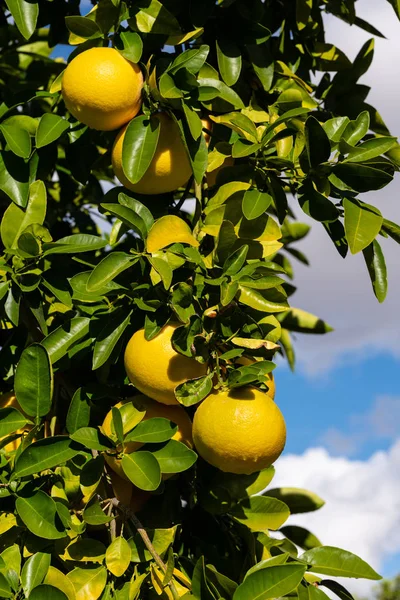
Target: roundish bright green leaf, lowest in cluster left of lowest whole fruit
{"points": [[142, 469]]}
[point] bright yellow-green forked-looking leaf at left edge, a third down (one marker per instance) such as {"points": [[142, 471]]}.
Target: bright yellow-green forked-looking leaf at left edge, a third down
{"points": [[16, 220]]}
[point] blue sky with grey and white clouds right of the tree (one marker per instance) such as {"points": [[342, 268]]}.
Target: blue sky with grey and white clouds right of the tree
{"points": [[342, 404]]}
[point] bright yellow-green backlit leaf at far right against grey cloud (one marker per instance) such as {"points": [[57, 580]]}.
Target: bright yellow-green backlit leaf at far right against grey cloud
{"points": [[362, 223]]}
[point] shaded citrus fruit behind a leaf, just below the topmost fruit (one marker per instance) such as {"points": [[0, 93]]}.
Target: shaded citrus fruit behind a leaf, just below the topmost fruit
{"points": [[170, 167]]}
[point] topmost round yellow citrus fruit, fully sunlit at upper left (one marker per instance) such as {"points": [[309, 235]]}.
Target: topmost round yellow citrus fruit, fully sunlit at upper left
{"points": [[102, 89]]}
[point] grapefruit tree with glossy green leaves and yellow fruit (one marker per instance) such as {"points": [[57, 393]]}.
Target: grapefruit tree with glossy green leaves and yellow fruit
{"points": [[130, 311]]}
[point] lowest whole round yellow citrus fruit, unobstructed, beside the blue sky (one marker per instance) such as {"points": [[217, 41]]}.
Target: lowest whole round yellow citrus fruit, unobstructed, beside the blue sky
{"points": [[239, 430]]}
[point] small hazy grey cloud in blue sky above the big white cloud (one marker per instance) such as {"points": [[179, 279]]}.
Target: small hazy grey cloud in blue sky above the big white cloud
{"points": [[381, 422]]}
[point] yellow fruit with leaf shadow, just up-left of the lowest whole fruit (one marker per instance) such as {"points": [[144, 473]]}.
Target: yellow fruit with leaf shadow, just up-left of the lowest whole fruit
{"points": [[155, 368]]}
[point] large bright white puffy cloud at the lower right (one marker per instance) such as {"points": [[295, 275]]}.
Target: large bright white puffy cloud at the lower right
{"points": [[362, 510]]}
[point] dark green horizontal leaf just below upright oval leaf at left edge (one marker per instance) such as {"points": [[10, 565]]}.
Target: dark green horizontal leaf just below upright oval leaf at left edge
{"points": [[45, 454]]}
